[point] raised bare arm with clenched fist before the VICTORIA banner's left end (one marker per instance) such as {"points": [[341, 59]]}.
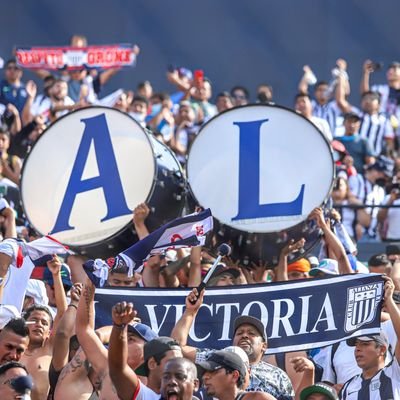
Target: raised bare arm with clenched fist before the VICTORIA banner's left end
{"points": [[123, 377]]}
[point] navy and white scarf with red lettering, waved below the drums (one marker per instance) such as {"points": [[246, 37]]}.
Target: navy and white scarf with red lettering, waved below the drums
{"points": [[186, 231]]}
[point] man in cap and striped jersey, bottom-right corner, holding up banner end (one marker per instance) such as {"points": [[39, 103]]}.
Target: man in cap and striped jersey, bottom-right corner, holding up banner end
{"points": [[377, 381]]}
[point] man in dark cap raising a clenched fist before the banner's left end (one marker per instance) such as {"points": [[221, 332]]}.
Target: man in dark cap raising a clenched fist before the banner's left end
{"points": [[156, 354]]}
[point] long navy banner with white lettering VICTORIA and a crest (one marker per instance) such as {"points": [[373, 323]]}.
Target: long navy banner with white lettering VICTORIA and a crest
{"points": [[297, 316]]}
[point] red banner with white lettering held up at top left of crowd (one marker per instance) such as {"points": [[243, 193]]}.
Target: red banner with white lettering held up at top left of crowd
{"points": [[54, 58]]}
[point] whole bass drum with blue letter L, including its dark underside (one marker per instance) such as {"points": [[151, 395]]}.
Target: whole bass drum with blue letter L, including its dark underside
{"points": [[261, 169]]}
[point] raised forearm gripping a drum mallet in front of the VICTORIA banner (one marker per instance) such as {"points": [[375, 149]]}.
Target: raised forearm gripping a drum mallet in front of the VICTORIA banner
{"points": [[182, 328]]}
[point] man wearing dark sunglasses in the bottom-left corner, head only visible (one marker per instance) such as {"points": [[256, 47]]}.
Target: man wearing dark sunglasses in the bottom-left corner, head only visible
{"points": [[15, 383]]}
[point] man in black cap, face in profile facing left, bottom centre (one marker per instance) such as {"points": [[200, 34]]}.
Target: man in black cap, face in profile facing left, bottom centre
{"points": [[223, 374]]}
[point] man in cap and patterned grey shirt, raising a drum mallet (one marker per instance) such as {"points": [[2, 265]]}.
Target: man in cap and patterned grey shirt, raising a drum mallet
{"points": [[249, 335]]}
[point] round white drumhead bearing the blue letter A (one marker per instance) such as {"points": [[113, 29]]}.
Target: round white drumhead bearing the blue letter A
{"points": [[119, 151]]}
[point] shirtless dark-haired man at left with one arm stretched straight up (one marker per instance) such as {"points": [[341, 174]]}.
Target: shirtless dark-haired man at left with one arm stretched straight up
{"points": [[37, 357]]}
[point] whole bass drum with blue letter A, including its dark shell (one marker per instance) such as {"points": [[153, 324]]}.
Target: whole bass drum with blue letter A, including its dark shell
{"points": [[86, 174]]}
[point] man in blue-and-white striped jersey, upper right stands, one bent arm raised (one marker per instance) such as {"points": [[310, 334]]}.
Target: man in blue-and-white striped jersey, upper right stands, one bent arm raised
{"points": [[375, 125]]}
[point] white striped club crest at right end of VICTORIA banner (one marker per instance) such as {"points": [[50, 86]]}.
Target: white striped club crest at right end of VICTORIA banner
{"points": [[362, 304]]}
